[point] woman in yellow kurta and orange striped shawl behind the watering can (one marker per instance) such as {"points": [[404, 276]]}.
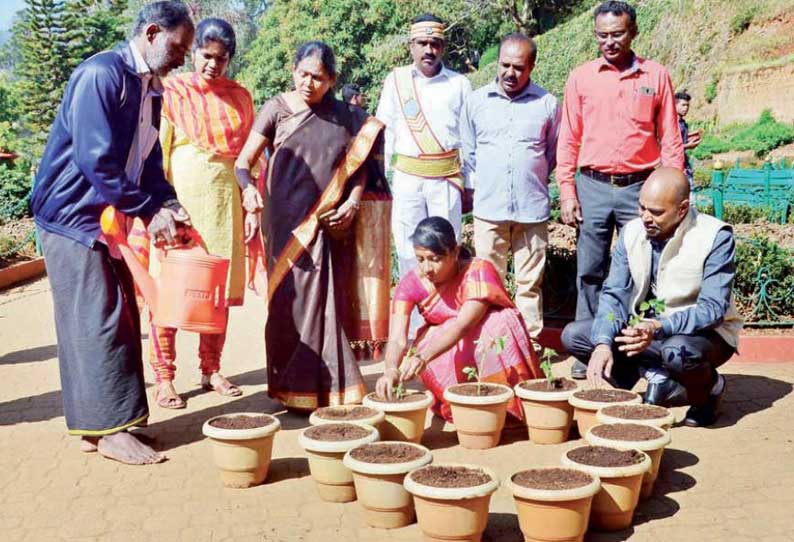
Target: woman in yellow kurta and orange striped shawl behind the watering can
{"points": [[206, 120]]}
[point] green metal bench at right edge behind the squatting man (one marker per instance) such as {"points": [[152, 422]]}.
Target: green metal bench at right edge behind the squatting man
{"points": [[770, 188]]}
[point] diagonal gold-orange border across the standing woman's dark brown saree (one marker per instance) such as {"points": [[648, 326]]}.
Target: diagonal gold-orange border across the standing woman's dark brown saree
{"points": [[304, 234]]}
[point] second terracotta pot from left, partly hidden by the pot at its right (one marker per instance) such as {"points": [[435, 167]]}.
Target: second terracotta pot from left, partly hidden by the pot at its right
{"points": [[333, 479]]}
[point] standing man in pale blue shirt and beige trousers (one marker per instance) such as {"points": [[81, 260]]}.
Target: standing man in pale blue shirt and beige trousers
{"points": [[509, 134]]}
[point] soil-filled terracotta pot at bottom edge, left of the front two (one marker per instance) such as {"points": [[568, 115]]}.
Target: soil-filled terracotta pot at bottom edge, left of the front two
{"points": [[452, 513]]}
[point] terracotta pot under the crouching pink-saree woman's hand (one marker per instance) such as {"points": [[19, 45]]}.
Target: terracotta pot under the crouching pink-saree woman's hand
{"points": [[404, 420]]}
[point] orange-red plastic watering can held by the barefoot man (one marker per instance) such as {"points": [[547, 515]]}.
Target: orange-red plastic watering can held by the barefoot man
{"points": [[190, 293]]}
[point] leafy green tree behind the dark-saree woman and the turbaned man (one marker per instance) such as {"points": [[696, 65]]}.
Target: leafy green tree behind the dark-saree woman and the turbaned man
{"points": [[369, 39]]}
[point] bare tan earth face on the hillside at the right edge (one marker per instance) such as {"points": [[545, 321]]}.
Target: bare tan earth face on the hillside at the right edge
{"points": [[744, 94]]}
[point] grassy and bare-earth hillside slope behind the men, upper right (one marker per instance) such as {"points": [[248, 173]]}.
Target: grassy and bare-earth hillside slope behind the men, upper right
{"points": [[704, 44]]}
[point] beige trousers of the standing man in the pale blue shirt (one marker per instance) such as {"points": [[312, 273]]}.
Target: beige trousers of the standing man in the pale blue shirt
{"points": [[494, 241]]}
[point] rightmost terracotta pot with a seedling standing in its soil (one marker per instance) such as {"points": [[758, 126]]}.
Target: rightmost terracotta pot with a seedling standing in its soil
{"points": [[548, 413]]}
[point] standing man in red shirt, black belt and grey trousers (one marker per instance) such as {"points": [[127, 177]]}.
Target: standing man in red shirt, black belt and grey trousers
{"points": [[619, 123]]}
